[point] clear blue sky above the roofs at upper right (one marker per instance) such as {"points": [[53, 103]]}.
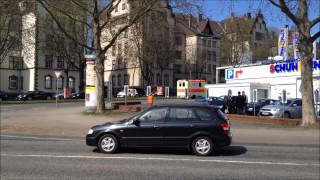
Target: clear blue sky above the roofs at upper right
{"points": [[221, 9]]}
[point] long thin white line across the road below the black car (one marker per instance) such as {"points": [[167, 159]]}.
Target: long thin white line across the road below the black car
{"points": [[160, 159]]}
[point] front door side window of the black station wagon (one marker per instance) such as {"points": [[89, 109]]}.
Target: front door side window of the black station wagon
{"points": [[154, 115]]}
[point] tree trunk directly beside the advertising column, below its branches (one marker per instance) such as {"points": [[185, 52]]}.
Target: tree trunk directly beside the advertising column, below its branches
{"points": [[100, 82]]}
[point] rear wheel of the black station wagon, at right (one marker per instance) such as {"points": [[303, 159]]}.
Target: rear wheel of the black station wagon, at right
{"points": [[202, 146]]}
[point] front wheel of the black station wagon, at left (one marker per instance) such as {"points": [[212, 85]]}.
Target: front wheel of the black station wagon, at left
{"points": [[108, 144]]}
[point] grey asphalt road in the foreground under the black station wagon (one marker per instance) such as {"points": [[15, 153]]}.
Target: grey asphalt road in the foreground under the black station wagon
{"points": [[55, 158]]}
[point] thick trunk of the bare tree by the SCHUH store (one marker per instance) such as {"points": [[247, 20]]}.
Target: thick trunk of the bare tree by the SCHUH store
{"points": [[308, 109]]}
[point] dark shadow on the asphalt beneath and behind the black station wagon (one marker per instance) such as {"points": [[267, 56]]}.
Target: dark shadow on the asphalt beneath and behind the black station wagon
{"points": [[226, 151]]}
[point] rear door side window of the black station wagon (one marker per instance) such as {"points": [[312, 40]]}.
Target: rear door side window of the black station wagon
{"points": [[181, 115]]}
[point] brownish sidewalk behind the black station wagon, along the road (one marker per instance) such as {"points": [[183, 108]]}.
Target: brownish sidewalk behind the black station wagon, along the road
{"points": [[73, 122]]}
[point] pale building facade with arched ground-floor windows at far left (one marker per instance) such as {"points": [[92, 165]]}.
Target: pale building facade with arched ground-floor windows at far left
{"points": [[40, 51]]}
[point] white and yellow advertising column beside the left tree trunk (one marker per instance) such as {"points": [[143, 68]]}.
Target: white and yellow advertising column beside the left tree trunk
{"points": [[91, 90]]}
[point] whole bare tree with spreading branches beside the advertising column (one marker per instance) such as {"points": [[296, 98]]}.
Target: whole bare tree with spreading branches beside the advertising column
{"points": [[97, 16]]}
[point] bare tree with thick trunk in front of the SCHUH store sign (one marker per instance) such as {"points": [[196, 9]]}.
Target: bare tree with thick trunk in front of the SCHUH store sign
{"points": [[299, 16]]}
